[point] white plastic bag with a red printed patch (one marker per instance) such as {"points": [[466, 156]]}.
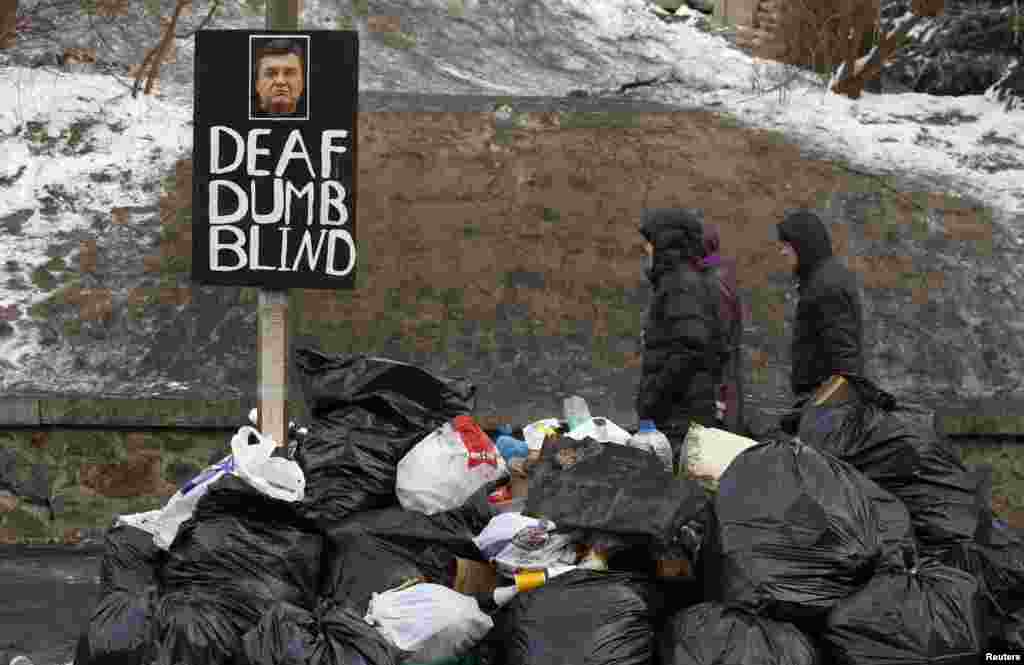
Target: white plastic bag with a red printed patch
{"points": [[448, 468]]}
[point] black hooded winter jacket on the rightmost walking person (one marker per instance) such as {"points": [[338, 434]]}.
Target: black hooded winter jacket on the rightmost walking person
{"points": [[829, 329]]}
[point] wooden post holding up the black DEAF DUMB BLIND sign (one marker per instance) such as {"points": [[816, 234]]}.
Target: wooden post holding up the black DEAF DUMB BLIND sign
{"points": [[272, 344]]}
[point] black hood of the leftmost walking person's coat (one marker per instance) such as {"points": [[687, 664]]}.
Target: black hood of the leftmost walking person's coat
{"points": [[677, 235]]}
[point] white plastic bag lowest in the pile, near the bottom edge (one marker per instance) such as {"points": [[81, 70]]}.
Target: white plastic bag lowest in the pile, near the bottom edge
{"points": [[431, 621]]}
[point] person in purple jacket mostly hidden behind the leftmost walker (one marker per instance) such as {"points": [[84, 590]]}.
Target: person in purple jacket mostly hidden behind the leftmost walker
{"points": [[731, 387]]}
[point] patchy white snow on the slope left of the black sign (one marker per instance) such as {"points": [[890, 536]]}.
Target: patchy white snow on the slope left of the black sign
{"points": [[147, 138]]}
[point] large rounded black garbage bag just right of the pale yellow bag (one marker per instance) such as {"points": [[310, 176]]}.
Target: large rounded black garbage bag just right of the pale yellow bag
{"points": [[794, 533]]}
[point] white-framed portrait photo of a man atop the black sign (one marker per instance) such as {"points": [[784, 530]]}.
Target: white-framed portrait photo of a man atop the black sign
{"points": [[279, 78]]}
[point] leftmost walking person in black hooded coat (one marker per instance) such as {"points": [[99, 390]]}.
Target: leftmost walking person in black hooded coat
{"points": [[684, 338]]}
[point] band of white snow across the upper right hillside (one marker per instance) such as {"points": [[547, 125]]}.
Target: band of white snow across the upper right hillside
{"points": [[909, 134]]}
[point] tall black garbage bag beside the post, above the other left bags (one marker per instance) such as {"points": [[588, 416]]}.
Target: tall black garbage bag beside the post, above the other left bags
{"points": [[368, 414]]}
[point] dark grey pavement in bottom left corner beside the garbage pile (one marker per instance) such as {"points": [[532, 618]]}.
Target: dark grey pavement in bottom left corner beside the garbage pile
{"points": [[47, 598]]}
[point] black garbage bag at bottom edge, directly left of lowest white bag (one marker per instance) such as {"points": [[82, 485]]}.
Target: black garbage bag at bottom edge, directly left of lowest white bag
{"points": [[329, 636]]}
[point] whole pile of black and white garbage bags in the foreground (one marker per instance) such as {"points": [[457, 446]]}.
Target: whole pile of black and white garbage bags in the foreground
{"points": [[395, 531]]}
